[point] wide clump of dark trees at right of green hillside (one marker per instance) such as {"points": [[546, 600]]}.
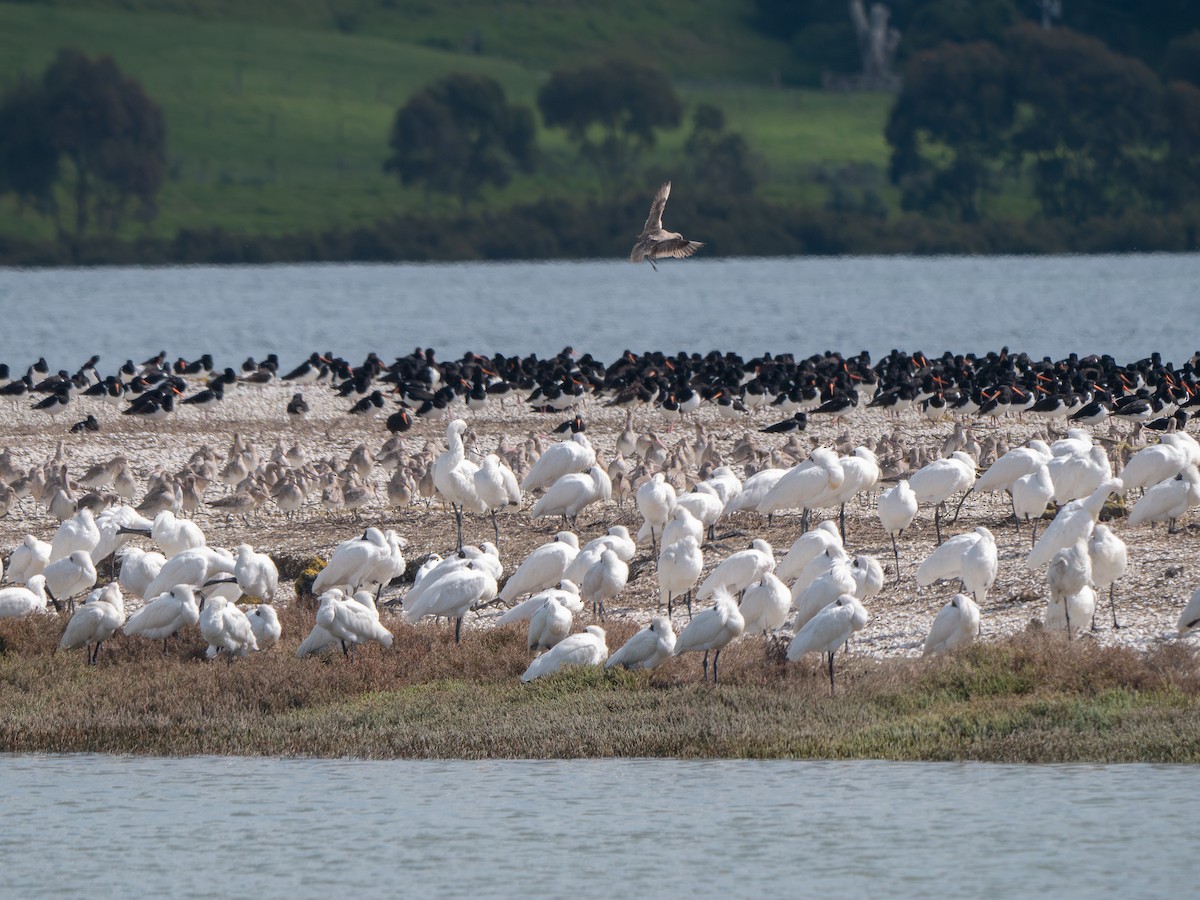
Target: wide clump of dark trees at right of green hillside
{"points": [[1095, 134]]}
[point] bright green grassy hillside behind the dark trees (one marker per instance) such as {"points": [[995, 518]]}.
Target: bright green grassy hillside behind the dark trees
{"points": [[279, 128]]}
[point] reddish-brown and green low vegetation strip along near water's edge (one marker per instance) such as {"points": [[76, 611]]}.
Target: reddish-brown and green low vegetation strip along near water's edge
{"points": [[1033, 699]]}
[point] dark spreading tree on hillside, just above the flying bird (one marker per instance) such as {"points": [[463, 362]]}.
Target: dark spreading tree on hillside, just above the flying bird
{"points": [[611, 111]]}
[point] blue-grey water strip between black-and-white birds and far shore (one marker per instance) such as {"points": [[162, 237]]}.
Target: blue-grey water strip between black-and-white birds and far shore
{"points": [[1129, 307]]}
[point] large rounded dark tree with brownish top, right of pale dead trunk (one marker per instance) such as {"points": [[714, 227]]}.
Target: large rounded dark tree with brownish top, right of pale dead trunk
{"points": [[1090, 122]]}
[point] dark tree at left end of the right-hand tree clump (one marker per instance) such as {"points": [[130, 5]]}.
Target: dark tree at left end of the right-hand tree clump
{"points": [[950, 129]]}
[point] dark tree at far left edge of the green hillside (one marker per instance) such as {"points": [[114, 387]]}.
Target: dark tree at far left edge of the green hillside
{"points": [[91, 131]]}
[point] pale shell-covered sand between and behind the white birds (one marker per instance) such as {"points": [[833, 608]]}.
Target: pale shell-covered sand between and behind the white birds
{"points": [[1161, 578]]}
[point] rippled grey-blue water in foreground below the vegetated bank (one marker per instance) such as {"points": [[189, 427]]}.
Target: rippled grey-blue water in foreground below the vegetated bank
{"points": [[220, 827]]}
